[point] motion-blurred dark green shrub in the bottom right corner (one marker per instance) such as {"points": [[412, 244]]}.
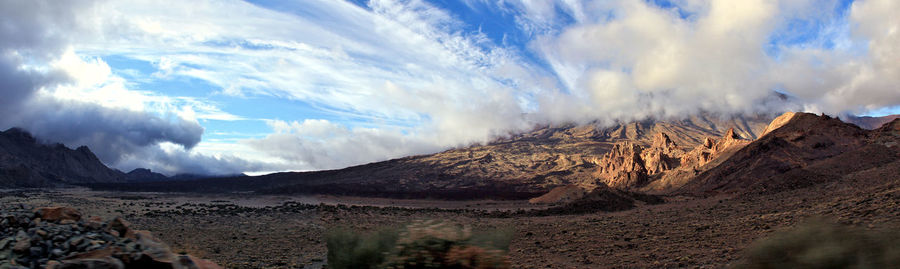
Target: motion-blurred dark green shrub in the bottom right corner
{"points": [[819, 244]]}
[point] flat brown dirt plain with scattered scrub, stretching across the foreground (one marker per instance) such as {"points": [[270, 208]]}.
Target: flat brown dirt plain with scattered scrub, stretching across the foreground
{"points": [[243, 231]]}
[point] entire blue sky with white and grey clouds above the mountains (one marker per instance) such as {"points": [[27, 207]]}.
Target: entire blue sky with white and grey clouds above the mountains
{"points": [[224, 87]]}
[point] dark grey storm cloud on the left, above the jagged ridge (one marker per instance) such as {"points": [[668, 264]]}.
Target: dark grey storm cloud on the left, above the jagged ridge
{"points": [[34, 33]]}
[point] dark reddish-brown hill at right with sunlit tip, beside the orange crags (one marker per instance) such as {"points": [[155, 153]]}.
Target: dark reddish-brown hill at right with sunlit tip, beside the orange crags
{"points": [[807, 149]]}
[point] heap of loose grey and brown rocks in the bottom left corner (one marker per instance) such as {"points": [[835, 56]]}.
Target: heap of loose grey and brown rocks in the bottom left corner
{"points": [[59, 238]]}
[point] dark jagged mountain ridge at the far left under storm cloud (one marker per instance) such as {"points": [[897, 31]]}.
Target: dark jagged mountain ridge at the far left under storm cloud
{"points": [[24, 162]]}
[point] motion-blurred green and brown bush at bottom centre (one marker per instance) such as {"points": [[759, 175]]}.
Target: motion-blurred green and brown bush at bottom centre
{"points": [[421, 244]]}
